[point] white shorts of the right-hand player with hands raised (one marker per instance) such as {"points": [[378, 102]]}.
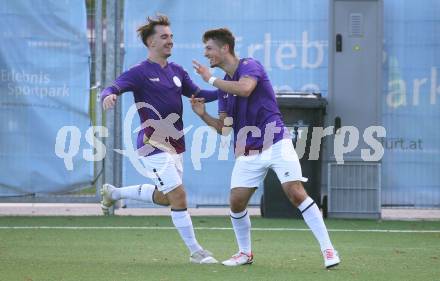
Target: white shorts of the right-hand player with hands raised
{"points": [[250, 171]]}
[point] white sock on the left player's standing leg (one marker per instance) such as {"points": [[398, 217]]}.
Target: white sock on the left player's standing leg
{"points": [[182, 221]]}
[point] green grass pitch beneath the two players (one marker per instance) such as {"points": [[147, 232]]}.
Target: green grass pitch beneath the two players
{"points": [[143, 248]]}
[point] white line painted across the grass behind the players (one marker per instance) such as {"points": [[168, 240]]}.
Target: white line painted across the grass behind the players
{"points": [[210, 228]]}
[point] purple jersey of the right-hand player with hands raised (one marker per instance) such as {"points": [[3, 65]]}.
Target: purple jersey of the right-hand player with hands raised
{"points": [[257, 120]]}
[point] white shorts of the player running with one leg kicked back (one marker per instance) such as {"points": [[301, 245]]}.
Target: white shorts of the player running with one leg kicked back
{"points": [[166, 170]]}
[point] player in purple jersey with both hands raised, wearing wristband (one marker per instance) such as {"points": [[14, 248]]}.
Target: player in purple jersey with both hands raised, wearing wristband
{"points": [[247, 105]]}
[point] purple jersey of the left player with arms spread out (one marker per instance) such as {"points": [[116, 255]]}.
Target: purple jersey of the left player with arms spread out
{"points": [[161, 89]]}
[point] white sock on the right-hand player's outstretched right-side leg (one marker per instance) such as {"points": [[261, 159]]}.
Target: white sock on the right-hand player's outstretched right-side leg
{"points": [[313, 218]]}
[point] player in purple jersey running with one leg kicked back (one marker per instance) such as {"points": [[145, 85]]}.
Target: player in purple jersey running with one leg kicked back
{"points": [[158, 86]]}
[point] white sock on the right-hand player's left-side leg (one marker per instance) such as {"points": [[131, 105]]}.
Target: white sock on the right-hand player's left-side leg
{"points": [[241, 223]]}
